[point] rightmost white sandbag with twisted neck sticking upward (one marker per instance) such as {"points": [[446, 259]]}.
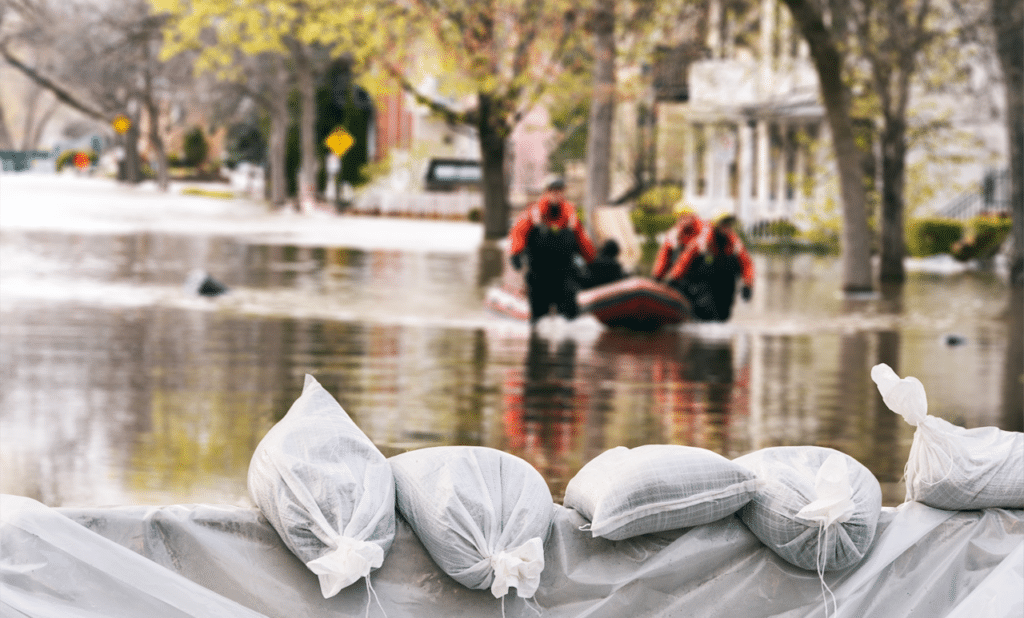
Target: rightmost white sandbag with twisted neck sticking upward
{"points": [[952, 467]]}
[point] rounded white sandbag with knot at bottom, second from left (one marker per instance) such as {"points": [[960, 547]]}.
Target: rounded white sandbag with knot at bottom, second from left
{"points": [[482, 514]]}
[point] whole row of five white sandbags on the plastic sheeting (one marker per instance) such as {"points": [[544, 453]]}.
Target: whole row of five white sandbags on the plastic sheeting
{"points": [[484, 515]]}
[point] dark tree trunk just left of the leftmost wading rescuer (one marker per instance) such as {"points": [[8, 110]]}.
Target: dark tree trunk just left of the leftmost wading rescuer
{"points": [[493, 142]]}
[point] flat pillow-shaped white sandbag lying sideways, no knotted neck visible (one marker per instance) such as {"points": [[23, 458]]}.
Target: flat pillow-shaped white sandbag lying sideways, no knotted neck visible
{"points": [[626, 493]]}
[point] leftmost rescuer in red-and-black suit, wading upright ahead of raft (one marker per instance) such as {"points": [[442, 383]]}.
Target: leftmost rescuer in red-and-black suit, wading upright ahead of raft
{"points": [[546, 241]]}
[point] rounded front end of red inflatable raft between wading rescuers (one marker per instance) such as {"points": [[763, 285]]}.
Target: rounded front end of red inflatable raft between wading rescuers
{"points": [[637, 303]]}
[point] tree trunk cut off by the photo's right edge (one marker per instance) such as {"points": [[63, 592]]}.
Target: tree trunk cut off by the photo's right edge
{"points": [[1008, 18]]}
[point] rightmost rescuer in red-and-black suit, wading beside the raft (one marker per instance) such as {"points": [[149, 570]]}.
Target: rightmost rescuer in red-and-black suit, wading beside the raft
{"points": [[707, 271]]}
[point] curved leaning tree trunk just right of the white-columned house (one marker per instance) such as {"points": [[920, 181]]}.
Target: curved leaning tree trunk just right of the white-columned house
{"points": [[857, 258]]}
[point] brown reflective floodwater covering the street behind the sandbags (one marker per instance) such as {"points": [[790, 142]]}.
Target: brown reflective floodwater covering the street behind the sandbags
{"points": [[121, 387]]}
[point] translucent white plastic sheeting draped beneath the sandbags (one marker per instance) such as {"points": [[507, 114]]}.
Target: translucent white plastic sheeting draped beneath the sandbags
{"points": [[224, 561]]}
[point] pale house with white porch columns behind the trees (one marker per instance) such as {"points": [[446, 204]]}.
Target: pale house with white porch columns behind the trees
{"points": [[735, 118]]}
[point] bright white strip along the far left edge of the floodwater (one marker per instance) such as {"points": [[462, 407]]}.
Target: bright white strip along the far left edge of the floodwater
{"points": [[67, 203]]}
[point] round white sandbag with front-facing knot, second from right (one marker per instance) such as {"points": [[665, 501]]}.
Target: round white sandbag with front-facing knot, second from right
{"points": [[817, 508]]}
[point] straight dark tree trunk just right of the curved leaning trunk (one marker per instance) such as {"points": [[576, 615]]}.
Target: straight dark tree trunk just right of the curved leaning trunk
{"points": [[893, 175]]}
